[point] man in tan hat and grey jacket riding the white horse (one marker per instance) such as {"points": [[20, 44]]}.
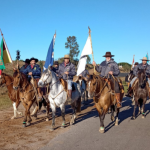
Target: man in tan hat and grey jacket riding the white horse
{"points": [[67, 71]]}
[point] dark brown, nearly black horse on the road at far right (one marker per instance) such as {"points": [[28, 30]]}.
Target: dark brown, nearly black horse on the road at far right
{"points": [[140, 92]]}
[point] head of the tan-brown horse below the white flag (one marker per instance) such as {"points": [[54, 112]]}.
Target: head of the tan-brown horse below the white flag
{"points": [[91, 85]]}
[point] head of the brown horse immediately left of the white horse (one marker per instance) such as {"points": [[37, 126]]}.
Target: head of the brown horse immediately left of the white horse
{"points": [[17, 79]]}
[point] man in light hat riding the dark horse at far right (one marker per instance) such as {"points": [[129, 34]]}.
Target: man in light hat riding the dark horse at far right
{"points": [[144, 66]]}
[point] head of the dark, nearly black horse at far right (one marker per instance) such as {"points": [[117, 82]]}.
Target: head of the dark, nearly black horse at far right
{"points": [[142, 77]]}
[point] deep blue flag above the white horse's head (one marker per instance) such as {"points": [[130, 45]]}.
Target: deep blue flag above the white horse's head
{"points": [[50, 54]]}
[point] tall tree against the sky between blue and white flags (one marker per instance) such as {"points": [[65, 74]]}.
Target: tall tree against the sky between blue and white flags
{"points": [[73, 46]]}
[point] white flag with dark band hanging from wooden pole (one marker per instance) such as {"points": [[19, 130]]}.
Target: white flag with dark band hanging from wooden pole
{"points": [[87, 50]]}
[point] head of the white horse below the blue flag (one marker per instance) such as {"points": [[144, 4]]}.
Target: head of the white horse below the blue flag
{"points": [[46, 77]]}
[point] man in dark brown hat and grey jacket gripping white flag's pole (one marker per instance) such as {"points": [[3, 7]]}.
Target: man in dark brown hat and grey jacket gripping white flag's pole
{"points": [[109, 69]]}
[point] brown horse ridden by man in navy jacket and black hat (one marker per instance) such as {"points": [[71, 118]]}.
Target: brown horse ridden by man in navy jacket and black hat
{"points": [[27, 94]]}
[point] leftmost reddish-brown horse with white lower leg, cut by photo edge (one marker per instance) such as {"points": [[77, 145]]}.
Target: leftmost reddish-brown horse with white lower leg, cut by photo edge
{"points": [[13, 95]]}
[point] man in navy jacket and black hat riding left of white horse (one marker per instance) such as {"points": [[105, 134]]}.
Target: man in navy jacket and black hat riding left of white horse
{"points": [[34, 70]]}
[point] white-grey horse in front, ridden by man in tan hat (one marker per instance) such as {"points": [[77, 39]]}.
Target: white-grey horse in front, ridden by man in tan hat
{"points": [[58, 96]]}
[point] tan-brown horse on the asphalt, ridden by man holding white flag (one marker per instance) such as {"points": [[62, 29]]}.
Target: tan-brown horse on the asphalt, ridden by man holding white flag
{"points": [[103, 97]]}
